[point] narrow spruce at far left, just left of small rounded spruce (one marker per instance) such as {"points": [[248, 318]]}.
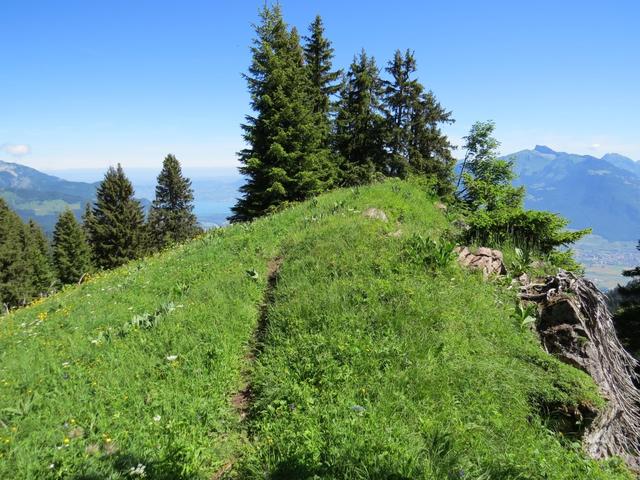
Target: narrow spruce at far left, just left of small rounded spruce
{"points": [[38, 255]]}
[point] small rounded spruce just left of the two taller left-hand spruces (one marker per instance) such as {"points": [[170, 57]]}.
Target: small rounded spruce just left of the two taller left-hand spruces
{"points": [[71, 252]]}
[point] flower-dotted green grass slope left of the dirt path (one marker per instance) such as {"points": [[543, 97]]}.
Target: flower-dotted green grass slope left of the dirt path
{"points": [[72, 363]]}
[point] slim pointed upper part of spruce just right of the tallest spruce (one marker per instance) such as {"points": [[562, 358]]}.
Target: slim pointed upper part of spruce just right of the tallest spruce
{"points": [[318, 55]]}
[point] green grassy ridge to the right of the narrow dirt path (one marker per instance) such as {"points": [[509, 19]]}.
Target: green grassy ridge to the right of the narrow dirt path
{"points": [[377, 365]]}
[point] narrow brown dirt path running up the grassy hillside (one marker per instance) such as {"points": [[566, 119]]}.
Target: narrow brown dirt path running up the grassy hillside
{"points": [[241, 400]]}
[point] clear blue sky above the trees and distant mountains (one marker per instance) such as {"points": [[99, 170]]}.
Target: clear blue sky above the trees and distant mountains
{"points": [[89, 83]]}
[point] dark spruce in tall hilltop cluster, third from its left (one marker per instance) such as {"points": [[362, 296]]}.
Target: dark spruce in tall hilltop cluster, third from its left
{"points": [[359, 123]]}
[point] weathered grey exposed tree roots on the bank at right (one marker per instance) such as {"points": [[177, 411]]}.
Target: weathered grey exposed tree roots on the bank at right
{"points": [[576, 326]]}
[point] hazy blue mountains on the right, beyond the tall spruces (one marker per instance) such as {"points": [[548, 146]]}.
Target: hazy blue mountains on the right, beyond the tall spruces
{"points": [[601, 193]]}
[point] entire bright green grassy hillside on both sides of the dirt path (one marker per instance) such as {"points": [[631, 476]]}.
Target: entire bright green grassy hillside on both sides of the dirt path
{"points": [[314, 343]]}
